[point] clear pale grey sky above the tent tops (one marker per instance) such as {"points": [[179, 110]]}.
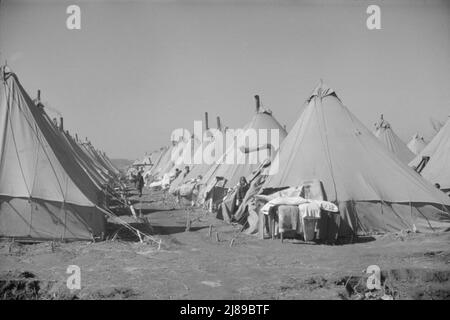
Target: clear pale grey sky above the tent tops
{"points": [[137, 70]]}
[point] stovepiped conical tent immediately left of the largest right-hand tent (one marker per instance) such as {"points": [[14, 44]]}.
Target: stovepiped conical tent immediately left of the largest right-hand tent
{"points": [[234, 169]]}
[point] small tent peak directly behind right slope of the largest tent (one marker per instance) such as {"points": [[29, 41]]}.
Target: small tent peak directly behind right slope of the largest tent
{"points": [[387, 136]]}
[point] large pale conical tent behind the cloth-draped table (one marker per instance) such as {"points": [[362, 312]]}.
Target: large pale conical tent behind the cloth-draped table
{"points": [[375, 191]]}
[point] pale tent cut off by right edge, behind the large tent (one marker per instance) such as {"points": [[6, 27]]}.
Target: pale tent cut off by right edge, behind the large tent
{"points": [[437, 170]]}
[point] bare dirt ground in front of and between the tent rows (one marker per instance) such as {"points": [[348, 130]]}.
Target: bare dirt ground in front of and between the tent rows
{"points": [[202, 265]]}
